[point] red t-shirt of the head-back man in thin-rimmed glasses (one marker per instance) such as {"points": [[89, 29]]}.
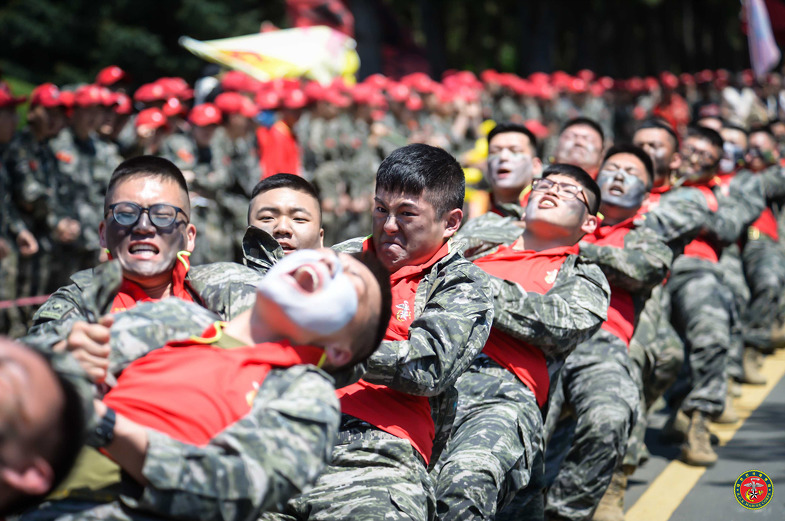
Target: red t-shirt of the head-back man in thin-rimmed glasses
{"points": [[536, 272]]}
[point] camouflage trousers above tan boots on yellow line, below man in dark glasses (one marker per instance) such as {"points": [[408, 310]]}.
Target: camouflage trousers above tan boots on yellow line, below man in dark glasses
{"points": [[703, 313]]}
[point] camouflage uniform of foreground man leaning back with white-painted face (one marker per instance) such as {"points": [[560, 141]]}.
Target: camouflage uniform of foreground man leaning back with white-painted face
{"points": [[255, 464]]}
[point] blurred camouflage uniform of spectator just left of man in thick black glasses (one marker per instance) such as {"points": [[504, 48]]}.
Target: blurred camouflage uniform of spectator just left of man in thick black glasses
{"points": [[85, 168]]}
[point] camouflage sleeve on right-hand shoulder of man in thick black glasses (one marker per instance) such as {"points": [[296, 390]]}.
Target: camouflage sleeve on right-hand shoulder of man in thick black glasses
{"points": [[225, 288]]}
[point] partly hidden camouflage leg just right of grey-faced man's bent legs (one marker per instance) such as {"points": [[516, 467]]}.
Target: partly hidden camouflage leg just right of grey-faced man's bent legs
{"points": [[657, 355]]}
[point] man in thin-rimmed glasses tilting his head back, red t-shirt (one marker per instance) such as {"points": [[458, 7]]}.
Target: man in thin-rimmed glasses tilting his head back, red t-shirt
{"points": [[546, 300]]}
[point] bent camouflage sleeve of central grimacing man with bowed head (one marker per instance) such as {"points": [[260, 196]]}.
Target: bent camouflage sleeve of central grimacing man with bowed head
{"points": [[450, 328]]}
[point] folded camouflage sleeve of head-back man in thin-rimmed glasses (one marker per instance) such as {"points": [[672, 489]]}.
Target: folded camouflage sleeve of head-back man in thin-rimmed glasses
{"points": [[569, 313]]}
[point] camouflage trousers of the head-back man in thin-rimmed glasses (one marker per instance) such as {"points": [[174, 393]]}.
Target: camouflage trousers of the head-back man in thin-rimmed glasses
{"points": [[496, 447]]}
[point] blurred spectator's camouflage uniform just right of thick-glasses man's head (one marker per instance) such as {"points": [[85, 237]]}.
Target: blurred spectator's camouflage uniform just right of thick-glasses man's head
{"points": [[211, 178]]}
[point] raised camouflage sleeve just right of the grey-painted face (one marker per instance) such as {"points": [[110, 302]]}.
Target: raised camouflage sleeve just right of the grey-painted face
{"points": [[679, 216]]}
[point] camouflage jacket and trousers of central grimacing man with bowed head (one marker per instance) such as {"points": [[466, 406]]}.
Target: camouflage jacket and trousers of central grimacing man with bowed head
{"points": [[376, 475]]}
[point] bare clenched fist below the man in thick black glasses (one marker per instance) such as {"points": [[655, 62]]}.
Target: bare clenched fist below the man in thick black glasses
{"points": [[89, 344]]}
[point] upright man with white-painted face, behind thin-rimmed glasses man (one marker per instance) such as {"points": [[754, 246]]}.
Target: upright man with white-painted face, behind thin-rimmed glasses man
{"points": [[512, 164]]}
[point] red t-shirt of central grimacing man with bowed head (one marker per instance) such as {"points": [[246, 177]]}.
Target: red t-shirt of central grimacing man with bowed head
{"points": [[403, 415]]}
